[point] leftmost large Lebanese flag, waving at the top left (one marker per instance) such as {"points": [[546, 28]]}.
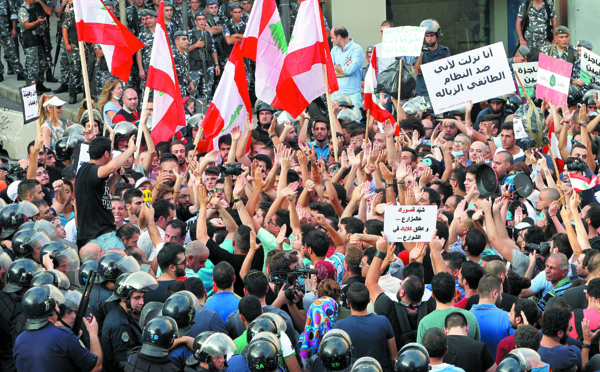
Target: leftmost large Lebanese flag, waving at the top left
{"points": [[97, 25]]}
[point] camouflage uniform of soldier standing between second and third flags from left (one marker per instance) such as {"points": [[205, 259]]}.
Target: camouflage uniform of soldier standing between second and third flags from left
{"points": [[203, 82]]}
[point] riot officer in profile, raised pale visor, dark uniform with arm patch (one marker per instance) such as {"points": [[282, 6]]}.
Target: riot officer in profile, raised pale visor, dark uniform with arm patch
{"points": [[120, 331]]}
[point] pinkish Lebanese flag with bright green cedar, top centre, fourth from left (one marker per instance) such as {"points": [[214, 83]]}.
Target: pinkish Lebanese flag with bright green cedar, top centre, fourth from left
{"points": [[264, 42]]}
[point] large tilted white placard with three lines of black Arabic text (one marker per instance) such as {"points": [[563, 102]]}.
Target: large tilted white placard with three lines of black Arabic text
{"points": [[475, 76]]}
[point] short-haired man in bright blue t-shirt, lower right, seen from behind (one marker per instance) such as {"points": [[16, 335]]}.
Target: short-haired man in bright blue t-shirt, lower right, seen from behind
{"points": [[494, 323]]}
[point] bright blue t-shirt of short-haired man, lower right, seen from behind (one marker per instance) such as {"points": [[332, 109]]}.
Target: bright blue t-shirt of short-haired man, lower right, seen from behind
{"points": [[494, 325]]}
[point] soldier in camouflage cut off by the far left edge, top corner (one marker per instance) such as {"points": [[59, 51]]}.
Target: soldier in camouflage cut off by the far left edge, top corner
{"points": [[8, 32]]}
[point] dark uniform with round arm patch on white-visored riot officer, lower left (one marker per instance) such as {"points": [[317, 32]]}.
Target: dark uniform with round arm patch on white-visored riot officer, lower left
{"points": [[120, 333]]}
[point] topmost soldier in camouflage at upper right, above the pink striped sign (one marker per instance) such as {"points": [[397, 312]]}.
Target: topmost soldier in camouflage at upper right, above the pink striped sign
{"points": [[539, 15]]}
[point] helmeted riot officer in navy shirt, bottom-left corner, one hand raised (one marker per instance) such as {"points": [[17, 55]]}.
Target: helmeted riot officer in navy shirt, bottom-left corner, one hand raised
{"points": [[60, 347]]}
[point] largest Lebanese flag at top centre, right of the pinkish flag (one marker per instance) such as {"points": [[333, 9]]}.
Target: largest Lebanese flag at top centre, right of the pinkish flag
{"points": [[302, 79]]}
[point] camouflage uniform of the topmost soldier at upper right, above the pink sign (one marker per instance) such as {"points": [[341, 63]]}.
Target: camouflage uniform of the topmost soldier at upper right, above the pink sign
{"points": [[536, 35]]}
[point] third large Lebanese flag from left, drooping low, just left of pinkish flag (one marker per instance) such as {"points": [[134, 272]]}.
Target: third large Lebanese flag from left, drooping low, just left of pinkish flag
{"points": [[230, 106]]}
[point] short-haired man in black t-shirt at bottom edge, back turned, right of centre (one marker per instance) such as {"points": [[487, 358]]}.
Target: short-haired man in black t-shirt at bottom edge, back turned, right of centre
{"points": [[464, 352]]}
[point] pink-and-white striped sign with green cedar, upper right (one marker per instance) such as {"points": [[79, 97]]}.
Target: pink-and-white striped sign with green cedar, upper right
{"points": [[554, 78]]}
